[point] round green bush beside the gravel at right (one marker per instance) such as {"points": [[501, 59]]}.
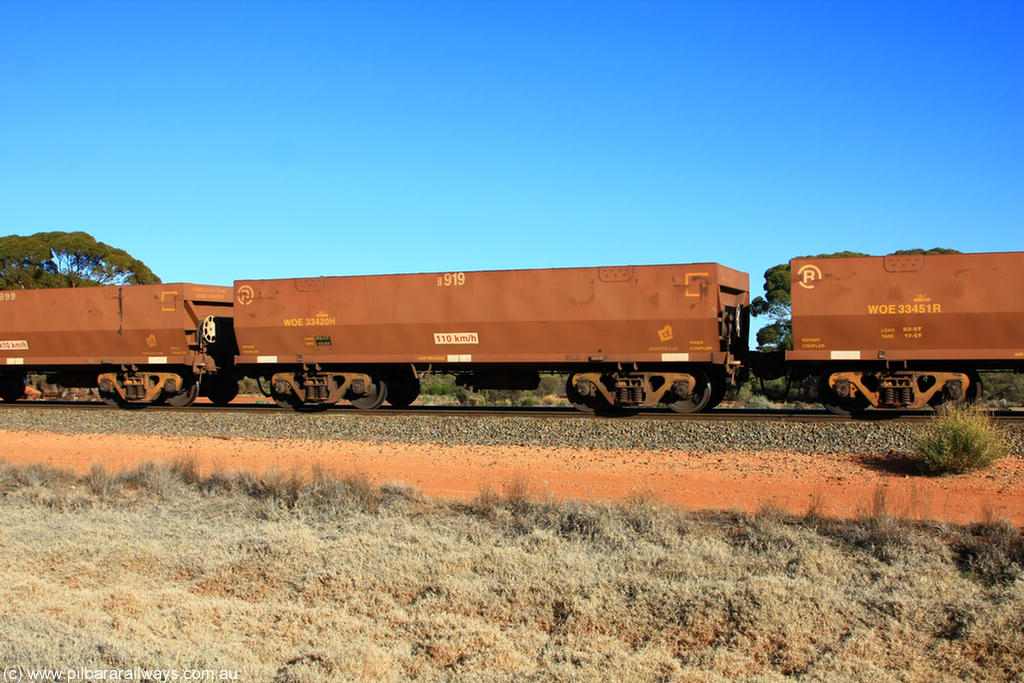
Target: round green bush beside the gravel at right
{"points": [[958, 441]]}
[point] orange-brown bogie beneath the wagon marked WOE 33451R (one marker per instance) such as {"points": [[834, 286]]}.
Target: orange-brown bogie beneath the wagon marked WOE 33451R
{"points": [[905, 391]]}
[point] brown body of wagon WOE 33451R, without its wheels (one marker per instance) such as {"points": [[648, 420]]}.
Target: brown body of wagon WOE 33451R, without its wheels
{"points": [[963, 309]]}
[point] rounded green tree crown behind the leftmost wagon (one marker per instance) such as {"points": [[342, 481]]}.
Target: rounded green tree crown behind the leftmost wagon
{"points": [[67, 260]]}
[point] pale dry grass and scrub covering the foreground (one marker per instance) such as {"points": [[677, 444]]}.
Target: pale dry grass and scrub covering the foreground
{"points": [[329, 579]]}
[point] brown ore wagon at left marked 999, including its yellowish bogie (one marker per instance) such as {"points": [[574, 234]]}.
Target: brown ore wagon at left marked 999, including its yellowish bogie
{"points": [[137, 345]]}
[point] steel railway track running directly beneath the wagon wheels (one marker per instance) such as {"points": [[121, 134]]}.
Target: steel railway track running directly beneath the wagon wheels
{"points": [[554, 413]]}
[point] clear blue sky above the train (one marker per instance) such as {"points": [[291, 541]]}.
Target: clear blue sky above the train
{"points": [[221, 141]]}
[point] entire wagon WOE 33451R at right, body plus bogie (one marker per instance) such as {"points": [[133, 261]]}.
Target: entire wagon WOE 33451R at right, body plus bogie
{"points": [[906, 332]]}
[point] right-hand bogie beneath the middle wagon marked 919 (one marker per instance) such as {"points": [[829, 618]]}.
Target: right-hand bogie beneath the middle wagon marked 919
{"points": [[637, 390]]}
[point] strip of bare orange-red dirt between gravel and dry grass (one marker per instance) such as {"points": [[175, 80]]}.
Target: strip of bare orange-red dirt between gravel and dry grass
{"points": [[843, 487]]}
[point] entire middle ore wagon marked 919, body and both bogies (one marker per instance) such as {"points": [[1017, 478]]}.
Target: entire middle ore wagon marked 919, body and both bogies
{"points": [[627, 336]]}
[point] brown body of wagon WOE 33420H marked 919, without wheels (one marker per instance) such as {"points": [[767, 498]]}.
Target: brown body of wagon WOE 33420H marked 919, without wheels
{"points": [[550, 318]]}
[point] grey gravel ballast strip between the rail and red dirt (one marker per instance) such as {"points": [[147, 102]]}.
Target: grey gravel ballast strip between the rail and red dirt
{"points": [[634, 433]]}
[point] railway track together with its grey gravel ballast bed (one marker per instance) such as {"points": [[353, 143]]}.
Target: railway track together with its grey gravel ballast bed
{"points": [[543, 428]]}
